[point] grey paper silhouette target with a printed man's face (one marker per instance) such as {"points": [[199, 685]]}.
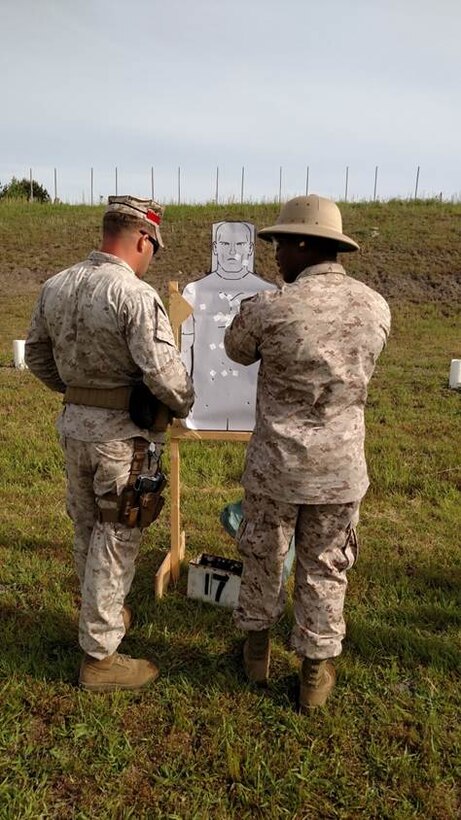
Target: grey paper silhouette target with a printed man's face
{"points": [[225, 391]]}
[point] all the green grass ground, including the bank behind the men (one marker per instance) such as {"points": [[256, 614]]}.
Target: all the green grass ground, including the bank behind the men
{"points": [[203, 743]]}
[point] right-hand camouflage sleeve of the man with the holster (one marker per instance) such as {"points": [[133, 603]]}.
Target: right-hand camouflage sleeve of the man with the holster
{"points": [[152, 347]]}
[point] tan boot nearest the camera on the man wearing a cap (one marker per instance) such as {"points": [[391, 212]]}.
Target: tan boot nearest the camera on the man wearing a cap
{"points": [[116, 672]]}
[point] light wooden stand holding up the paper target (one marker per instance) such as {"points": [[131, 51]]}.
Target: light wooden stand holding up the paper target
{"points": [[179, 310]]}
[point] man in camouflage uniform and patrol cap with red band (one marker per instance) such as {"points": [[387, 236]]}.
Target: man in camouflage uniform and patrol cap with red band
{"points": [[97, 330]]}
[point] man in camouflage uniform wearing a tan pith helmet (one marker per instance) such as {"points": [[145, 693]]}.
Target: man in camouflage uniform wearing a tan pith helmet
{"points": [[318, 339]]}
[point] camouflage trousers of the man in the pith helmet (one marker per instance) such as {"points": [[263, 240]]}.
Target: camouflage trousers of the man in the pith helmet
{"points": [[326, 548]]}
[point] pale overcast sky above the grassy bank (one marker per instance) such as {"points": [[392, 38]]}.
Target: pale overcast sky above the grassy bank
{"points": [[261, 84]]}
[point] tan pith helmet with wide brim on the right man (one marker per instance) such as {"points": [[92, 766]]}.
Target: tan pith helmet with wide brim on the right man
{"points": [[311, 216]]}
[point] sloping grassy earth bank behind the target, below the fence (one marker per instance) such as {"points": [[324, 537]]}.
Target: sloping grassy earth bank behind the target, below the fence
{"points": [[410, 251]]}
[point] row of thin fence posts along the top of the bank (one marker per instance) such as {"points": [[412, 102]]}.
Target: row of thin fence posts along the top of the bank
{"points": [[59, 185]]}
